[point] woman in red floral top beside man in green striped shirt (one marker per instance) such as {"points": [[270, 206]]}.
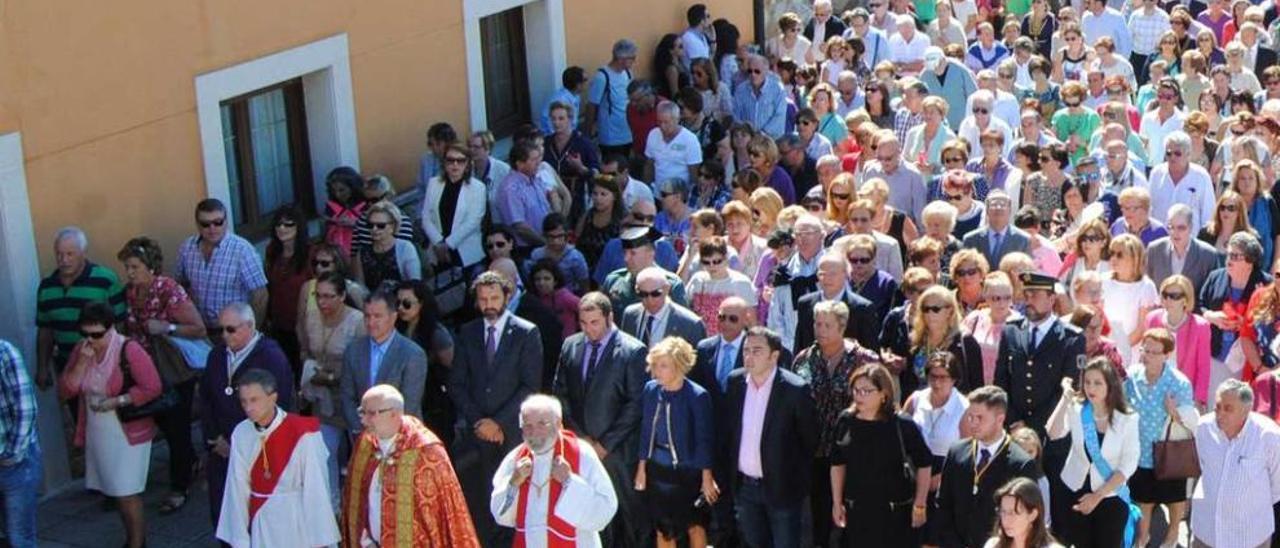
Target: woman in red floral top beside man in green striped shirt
{"points": [[159, 307]]}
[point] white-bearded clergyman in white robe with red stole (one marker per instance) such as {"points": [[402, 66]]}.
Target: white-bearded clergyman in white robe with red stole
{"points": [[552, 490]]}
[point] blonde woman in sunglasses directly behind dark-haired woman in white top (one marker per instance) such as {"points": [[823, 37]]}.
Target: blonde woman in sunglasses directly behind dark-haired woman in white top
{"points": [[936, 328]]}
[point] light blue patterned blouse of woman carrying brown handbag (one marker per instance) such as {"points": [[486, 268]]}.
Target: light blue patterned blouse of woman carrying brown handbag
{"points": [[1149, 400]]}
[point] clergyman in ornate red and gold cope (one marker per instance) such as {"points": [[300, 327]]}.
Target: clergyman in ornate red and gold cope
{"points": [[397, 453]]}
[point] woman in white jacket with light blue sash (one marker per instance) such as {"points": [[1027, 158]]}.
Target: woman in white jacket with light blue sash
{"points": [[1100, 512]]}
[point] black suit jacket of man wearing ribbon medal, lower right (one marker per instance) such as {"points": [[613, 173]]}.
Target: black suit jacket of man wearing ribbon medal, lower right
{"points": [[966, 519]]}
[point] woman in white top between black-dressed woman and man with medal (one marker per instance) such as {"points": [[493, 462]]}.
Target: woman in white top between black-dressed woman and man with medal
{"points": [[938, 409]]}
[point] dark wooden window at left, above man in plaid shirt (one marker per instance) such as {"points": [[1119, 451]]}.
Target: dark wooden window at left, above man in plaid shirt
{"points": [[268, 162]]}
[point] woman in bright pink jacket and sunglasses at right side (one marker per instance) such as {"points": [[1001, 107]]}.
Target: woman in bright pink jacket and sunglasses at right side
{"points": [[1191, 332]]}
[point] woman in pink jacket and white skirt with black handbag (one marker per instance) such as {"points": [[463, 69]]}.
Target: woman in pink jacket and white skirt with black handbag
{"points": [[108, 372]]}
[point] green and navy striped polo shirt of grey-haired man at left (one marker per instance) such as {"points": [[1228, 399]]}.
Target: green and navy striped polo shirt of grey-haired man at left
{"points": [[58, 307]]}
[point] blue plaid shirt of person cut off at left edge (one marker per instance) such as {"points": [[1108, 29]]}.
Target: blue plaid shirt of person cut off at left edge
{"points": [[17, 407]]}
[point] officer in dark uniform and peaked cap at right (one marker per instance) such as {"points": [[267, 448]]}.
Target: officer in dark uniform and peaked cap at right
{"points": [[1036, 354]]}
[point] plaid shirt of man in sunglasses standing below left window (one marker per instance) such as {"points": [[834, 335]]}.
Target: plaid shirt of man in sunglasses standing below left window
{"points": [[231, 275]]}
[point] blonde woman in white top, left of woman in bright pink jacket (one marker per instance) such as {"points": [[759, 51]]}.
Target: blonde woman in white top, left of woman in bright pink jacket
{"points": [[1128, 295]]}
